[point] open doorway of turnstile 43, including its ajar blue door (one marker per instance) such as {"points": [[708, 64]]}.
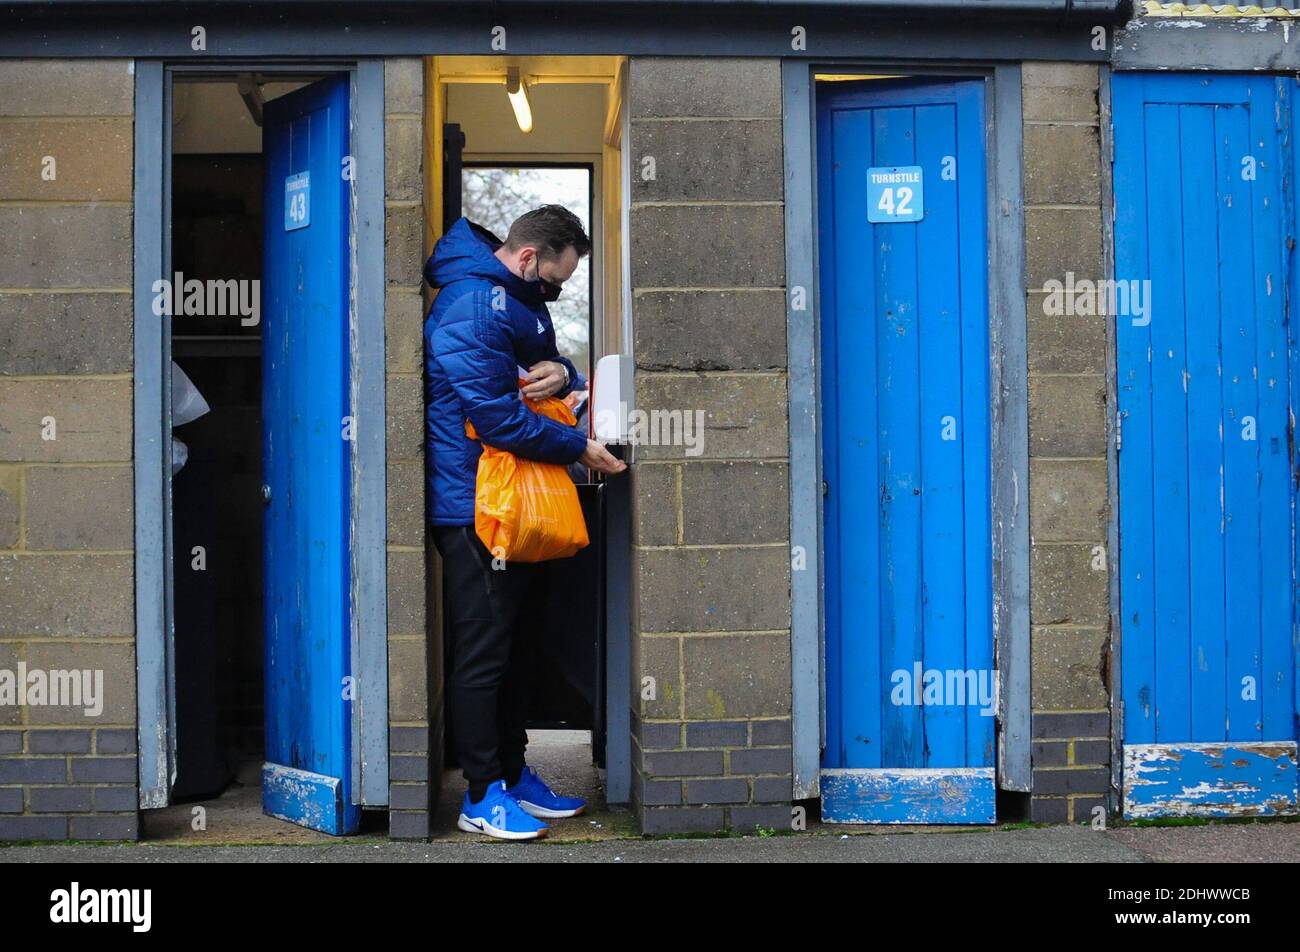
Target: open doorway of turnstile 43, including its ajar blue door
{"points": [[246, 720]]}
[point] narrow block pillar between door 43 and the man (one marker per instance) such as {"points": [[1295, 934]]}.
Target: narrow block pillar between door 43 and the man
{"points": [[413, 782]]}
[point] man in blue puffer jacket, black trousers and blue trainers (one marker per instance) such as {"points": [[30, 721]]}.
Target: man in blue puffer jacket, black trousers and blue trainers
{"points": [[489, 321]]}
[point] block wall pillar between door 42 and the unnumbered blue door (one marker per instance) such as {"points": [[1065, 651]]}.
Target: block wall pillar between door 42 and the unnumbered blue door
{"points": [[1069, 492]]}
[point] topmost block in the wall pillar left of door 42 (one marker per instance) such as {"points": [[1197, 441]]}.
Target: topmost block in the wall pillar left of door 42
{"points": [[695, 86]]}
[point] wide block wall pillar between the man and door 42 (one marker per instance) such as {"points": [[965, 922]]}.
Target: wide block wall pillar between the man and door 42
{"points": [[712, 561]]}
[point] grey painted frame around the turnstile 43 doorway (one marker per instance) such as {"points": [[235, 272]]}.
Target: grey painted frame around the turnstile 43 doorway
{"points": [[153, 423]]}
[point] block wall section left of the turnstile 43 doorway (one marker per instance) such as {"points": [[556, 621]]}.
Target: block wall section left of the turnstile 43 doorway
{"points": [[67, 538]]}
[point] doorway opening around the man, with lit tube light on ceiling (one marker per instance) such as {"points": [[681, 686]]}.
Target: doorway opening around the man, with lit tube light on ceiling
{"points": [[508, 135]]}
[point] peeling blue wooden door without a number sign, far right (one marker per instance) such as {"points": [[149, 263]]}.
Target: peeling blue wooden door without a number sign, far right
{"points": [[1204, 214]]}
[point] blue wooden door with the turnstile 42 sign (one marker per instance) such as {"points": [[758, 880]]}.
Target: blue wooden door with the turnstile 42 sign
{"points": [[911, 686]]}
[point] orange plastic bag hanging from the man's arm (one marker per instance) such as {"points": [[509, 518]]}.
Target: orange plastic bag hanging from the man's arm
{"points": [[526, 510]]}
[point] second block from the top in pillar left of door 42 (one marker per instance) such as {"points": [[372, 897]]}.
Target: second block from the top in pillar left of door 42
{"points": [[723, 161]]}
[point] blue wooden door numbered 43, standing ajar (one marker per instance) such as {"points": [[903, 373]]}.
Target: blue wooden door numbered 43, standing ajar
{"points": [[307, 460]]}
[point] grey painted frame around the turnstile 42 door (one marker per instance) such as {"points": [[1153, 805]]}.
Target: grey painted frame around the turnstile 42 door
{"points": [[1008, 414]]}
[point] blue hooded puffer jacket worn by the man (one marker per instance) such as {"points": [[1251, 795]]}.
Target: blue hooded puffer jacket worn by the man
{"points": [[471, 352]]}
